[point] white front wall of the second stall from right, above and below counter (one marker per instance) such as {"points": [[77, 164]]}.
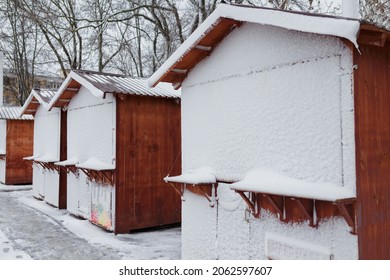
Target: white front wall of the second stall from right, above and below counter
{"points": [[91, 133]]}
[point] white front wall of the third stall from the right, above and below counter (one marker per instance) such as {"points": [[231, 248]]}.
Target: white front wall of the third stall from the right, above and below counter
{"points": [[47, 141]]}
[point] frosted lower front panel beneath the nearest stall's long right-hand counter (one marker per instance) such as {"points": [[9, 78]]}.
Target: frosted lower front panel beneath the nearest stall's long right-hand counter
{"points": [[331, 240]]}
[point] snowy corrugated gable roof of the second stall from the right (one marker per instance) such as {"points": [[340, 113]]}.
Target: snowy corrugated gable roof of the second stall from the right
{"points": [[102, 83]]}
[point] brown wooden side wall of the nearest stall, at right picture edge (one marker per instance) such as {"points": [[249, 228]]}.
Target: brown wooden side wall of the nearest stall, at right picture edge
{"points": [[372, 137]]}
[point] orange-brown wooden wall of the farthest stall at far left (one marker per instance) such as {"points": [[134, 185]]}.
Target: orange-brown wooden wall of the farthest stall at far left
{"points": [[20, 135]]}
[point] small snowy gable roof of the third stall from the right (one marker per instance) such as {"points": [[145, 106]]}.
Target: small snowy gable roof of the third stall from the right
{"points": [[36, 98]]}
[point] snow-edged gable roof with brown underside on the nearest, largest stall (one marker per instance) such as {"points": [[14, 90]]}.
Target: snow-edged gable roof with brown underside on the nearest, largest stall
{"points": [[227, 17]]}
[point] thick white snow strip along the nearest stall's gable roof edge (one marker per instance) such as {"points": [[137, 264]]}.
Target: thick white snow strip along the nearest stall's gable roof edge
{"points": [[339, 27]]}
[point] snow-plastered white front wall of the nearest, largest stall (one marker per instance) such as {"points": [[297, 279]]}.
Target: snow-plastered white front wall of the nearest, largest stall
{"points": [[274, 98]]}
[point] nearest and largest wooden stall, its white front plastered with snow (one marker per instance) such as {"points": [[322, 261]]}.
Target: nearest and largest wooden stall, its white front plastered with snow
{"points": [[285, 124]]}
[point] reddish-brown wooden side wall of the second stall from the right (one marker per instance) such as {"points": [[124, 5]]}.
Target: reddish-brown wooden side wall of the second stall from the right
{"points": [[148, 143]]}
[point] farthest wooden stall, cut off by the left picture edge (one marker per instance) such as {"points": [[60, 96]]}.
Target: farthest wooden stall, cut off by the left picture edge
{"points": [[16, 142]]}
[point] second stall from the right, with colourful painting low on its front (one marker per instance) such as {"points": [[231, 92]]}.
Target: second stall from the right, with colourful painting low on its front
{"points": [[123, 138]]}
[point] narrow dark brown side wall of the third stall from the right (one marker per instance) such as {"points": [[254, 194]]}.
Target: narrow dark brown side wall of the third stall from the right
{"points": [[62, 200]]}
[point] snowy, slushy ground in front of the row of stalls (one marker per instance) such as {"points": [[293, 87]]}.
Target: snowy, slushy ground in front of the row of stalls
{"points": [[32, 229]]}
